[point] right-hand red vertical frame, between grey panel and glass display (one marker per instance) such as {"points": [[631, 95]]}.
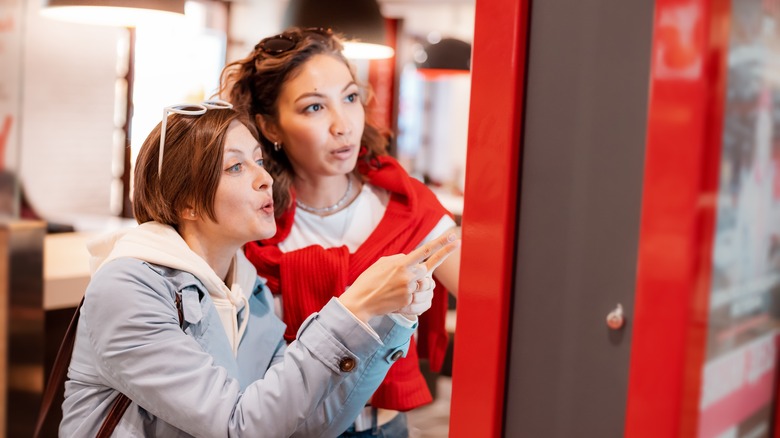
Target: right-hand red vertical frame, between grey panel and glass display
{"points": [[685, 121]]}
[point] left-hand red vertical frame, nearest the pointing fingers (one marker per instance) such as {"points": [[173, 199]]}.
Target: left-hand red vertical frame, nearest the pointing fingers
{"points": [[489, 218]]}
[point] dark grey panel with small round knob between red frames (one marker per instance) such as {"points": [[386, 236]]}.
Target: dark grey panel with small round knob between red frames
{"points": [[580, 199]]}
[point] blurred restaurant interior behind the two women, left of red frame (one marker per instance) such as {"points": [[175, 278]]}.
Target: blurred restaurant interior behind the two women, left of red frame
{"points": [[79, 93]]}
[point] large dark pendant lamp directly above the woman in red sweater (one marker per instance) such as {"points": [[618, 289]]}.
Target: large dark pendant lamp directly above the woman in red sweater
{"points": [[360, 21]]}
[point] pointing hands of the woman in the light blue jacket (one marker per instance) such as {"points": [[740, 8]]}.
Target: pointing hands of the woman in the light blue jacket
{"points": [[399, 283]]}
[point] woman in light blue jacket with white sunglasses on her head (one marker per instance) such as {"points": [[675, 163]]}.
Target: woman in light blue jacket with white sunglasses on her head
{"points": [[177, 328]]}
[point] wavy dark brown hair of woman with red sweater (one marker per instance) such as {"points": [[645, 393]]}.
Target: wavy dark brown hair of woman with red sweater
{"points": [[253, 85]]}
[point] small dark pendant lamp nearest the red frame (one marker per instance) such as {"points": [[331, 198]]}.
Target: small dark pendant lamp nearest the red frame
{"points": [[446, 57]]}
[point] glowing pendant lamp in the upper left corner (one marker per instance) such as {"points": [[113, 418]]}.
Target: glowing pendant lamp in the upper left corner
{"points": [[125, 13]]}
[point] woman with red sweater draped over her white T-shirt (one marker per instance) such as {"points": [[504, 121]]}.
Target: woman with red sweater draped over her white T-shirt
{"points": [[341, 201]]}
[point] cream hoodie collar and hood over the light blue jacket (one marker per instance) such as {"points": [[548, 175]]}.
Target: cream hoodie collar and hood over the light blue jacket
{"points": [[161, 245]]}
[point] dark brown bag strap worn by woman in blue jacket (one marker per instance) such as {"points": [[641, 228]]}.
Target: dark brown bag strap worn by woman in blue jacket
{"points": [[59, 373]]}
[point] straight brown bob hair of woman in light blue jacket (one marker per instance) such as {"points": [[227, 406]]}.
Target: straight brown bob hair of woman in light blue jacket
{"points": [[191, 169]]}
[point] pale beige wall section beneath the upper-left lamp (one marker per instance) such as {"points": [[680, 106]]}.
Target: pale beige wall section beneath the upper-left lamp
{"points": [[68, 83]]}
